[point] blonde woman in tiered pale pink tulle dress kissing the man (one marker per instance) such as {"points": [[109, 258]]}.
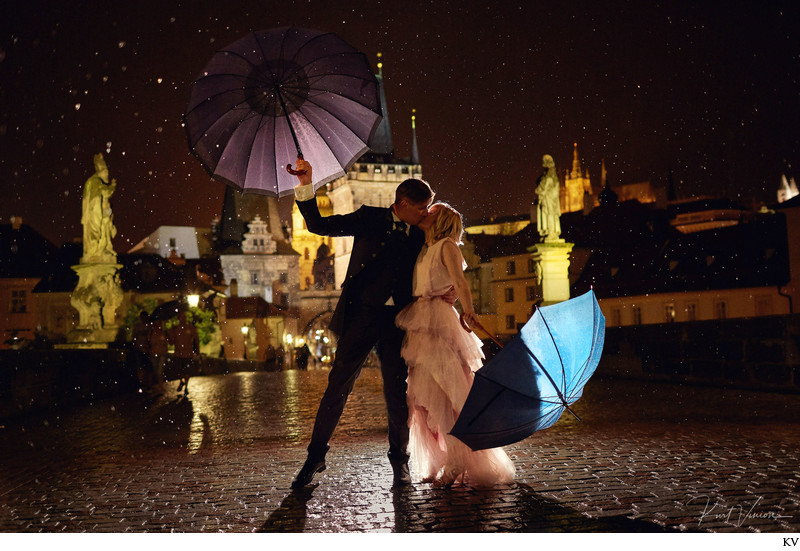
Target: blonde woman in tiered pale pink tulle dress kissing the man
{"points": [[442, 358]]}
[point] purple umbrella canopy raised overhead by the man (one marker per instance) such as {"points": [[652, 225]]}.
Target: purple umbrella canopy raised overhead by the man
{"points": [[278, 94]]}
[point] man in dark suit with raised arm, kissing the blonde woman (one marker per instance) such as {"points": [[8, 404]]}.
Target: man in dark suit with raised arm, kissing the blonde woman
{"points": [[376, 287]]}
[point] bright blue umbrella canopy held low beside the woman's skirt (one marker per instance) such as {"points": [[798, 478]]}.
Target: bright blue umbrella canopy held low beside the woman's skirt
{"points": [[527, 386]]}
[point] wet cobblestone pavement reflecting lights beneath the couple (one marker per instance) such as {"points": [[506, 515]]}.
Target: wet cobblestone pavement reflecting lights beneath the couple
{"points": [[648, 457]]}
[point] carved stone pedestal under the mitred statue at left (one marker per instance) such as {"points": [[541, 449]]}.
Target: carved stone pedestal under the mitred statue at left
{"points": [[96, 298]]}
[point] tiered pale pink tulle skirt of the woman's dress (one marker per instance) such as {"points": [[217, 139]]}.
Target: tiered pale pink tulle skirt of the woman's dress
{"points": [[442, 358]]}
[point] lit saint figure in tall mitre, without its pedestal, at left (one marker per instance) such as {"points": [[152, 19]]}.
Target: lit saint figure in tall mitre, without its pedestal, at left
{"points": [[97, 218]]}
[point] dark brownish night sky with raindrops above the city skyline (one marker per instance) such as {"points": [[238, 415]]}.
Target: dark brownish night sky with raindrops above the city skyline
{"points": [[710, 91]]}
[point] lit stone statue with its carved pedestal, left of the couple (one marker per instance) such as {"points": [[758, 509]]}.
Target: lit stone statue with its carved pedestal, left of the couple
{"points": [[98, 293]]}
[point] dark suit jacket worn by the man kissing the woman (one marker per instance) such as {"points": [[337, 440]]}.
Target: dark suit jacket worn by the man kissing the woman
{"points": [[375, 255]]}
